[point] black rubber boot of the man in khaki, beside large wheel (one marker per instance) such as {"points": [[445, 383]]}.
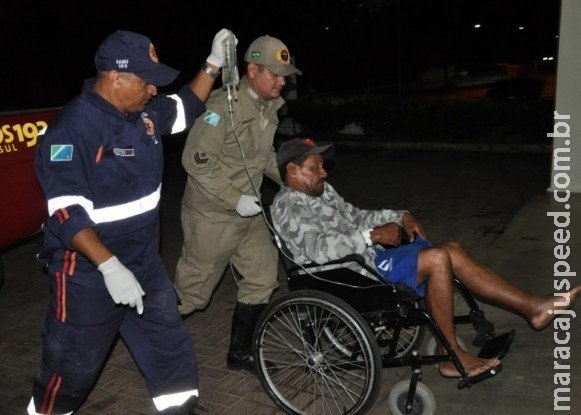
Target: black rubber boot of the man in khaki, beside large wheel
{"points": [[240, 355]]}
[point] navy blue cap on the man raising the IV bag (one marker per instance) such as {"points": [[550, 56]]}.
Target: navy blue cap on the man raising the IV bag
{"points": [[126, 51]]}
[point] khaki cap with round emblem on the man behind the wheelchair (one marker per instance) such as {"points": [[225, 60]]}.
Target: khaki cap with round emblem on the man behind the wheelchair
{"points": [[272, 53]]}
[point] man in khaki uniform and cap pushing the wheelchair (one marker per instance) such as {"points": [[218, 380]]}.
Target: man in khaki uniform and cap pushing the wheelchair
{"points": [[228, 152]]}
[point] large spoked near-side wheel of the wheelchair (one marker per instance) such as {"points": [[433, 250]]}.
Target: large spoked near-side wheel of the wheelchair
{"points": [[317, 355]]}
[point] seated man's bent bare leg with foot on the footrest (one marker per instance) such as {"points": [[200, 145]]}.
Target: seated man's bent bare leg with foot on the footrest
{"points": [[435, 267]]}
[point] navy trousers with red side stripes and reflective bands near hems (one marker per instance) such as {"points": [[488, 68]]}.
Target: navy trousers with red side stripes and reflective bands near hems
{"points": [[83, 322]]}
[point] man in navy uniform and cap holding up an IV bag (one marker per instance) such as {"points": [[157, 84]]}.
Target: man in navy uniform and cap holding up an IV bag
{"points": [[100, 165]]}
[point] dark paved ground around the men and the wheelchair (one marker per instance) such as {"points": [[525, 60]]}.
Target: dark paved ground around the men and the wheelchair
{"points": [[493, 204]]}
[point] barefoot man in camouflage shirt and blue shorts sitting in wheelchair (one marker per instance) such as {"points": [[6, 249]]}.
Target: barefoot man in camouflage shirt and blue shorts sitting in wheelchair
{"points": [[318, 226]]}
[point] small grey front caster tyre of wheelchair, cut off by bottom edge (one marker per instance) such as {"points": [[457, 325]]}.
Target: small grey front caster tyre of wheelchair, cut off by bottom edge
{"points": [[424, 402]]}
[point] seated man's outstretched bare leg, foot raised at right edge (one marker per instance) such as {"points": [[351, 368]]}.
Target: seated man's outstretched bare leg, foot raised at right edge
{"points": [[486, 284]]}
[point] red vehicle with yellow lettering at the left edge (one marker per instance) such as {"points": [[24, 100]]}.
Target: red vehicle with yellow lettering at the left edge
{"points": [[22, 206]]}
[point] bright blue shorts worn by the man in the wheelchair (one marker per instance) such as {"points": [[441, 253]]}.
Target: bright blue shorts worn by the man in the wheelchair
{"points": [[400, 264]]}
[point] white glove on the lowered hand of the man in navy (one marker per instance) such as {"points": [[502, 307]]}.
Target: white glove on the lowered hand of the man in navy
{"points": [[122, 284]]}
